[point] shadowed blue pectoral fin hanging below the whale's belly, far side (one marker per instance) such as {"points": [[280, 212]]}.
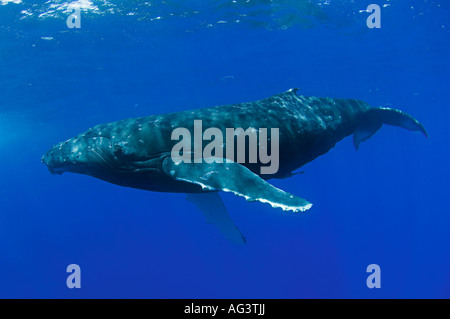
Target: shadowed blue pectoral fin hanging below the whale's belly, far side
{"points": [[211, 205]]}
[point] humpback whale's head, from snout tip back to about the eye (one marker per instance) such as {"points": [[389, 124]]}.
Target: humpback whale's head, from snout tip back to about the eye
{"points": [[84, 154]]}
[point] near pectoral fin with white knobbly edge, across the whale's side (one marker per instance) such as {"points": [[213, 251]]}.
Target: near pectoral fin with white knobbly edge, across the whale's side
{"points": [[233, 177]]}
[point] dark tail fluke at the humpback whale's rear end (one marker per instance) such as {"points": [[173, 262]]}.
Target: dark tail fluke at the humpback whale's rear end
{"points": [[376, 117]]}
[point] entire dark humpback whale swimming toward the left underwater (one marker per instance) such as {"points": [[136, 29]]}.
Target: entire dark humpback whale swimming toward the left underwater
{"points": [[137, 152]]}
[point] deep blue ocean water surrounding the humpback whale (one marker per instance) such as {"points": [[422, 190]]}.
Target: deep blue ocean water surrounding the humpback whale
{"points": [[386, 204]]}
